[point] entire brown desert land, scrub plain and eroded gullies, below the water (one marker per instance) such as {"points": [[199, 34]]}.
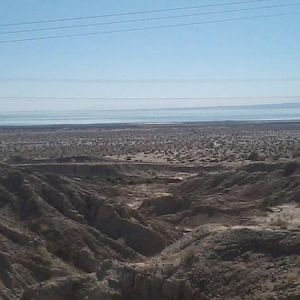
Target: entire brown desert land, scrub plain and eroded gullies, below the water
{"points": [[150, 212]]}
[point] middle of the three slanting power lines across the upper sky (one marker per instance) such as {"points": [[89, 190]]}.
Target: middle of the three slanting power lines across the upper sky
{"points": [[150, 19]]}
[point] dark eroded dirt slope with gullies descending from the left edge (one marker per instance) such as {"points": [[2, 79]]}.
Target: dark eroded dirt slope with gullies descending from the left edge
{"points": [[53, 226]]}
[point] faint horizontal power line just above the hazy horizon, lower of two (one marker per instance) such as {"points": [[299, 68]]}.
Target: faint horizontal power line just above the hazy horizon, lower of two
{"points": [[35, 98]]}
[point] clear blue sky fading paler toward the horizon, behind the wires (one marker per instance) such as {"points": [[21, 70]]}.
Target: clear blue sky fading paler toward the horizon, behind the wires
{"points": [[230, 59]]}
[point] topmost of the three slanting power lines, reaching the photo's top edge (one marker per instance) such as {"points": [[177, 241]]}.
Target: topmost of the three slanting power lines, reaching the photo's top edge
{"points": [[132, 13]]}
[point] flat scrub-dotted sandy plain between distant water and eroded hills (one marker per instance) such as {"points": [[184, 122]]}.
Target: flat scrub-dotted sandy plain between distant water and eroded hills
{"points": [[173, 144]]}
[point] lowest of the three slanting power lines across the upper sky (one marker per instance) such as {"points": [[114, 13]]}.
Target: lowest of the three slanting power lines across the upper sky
{"points": [[148, 28]]}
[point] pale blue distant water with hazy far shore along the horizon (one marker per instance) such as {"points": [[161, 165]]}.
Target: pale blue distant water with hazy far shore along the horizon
{"points": [[254, 113]]}
